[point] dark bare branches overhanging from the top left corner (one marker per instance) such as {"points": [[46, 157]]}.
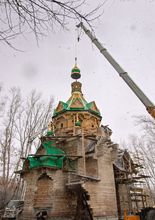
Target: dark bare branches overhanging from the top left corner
{"points": [[38, 16]]}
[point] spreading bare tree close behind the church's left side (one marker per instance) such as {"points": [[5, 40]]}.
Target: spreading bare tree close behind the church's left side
{"points": [[32, 118]]}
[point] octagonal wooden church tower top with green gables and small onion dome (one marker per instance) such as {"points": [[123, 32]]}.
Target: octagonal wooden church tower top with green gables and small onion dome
{"points": [[76, 112]]}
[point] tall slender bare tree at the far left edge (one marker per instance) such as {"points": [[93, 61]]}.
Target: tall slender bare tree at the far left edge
{"points": [[6, 139]]}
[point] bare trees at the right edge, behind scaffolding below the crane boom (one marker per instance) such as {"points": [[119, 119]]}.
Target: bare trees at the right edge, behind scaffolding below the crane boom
{"points": [[143, 148]]}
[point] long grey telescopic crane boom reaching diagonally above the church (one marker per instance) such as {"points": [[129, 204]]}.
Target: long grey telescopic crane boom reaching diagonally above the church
{"points": [[122, 73]]}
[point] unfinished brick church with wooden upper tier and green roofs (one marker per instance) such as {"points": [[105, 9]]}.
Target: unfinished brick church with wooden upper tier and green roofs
{"points": [[71, 175]]}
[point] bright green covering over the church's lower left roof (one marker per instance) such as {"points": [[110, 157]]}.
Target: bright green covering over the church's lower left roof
{"points": [[53, 157]]}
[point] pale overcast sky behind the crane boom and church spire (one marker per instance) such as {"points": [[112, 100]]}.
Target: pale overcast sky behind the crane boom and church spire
{"points": [[126, 29]]}
